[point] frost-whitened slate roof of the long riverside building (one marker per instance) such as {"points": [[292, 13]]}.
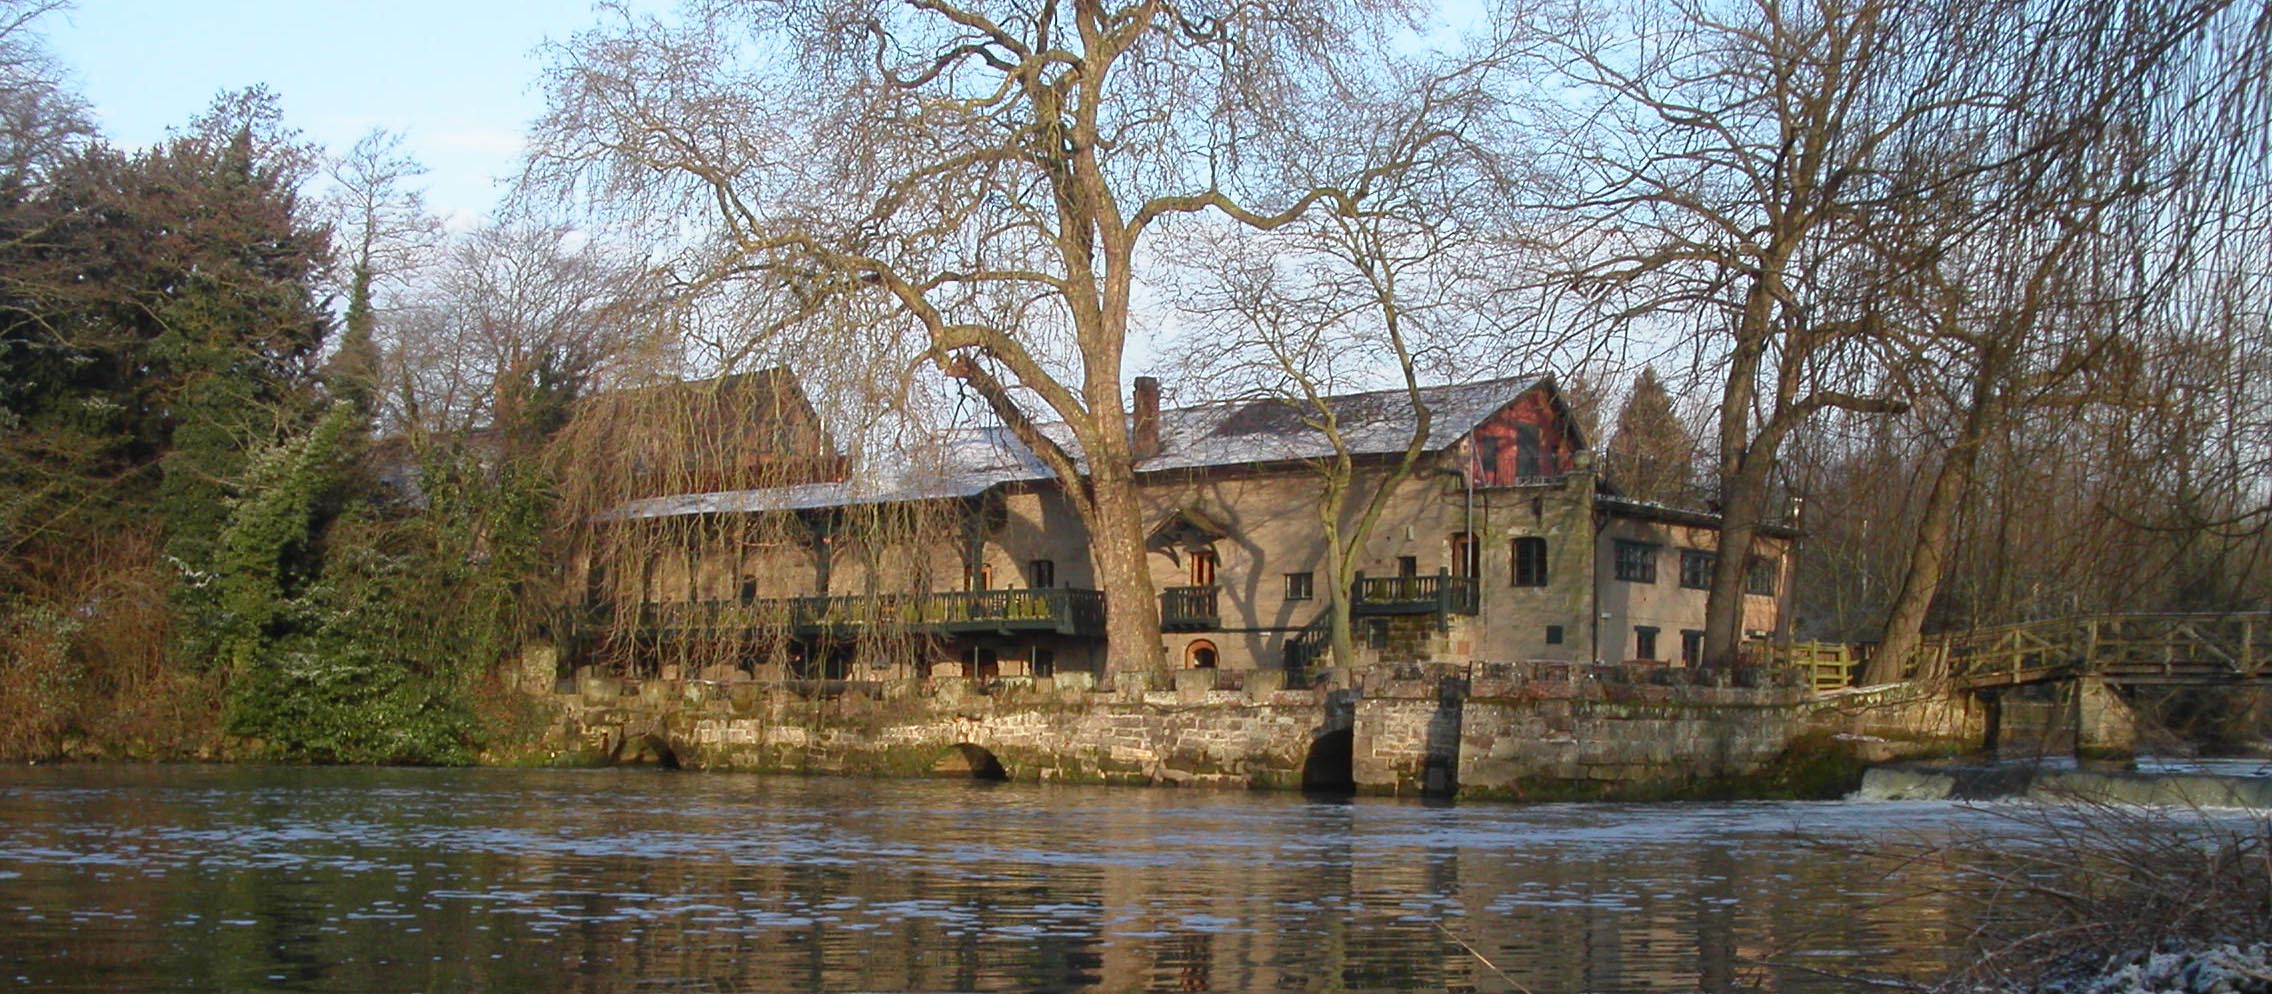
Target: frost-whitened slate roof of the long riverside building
{"points": [[1221, 435]]}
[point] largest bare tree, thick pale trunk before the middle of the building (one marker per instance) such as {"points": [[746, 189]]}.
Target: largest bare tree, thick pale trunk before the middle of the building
{"points": [[969, 185]]}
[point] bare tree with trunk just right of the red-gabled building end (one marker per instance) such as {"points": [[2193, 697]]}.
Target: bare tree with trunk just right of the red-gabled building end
{"points": [[1721, 171]]}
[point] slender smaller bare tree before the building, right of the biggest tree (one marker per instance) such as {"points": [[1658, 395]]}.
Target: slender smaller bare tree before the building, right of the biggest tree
{"points": [[1392, 289]]}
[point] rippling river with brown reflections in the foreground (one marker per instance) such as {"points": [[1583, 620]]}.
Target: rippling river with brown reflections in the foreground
{"points": [[128, 879]]}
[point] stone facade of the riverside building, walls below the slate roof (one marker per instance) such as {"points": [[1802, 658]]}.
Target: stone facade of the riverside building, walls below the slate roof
{"points": [[1237, 530]]}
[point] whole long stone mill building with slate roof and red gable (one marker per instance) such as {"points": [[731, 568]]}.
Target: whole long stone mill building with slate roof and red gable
{"points": [[769, 557]]}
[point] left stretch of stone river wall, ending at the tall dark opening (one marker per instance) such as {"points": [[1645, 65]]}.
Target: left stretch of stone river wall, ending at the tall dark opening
{"points": [[1037, 730]]}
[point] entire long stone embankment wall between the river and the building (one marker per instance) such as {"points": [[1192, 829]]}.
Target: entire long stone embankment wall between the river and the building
{"points": [[1517, 732]]}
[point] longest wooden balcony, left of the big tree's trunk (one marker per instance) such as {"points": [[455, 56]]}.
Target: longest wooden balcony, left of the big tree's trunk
{"points": [[951, 614]]}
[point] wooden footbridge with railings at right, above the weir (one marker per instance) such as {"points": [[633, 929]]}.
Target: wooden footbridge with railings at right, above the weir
{"points": [[2121, 650]]}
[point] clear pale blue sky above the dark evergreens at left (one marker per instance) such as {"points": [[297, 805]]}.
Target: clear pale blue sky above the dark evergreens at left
{"points": [[456, 78]]}
